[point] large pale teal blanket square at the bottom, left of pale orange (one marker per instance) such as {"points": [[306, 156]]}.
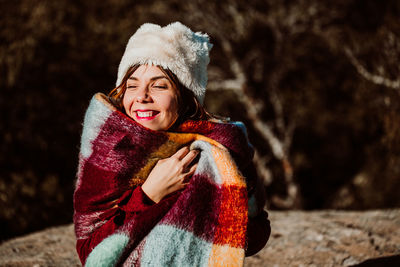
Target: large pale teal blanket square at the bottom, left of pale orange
{"points": [[180, 248]]}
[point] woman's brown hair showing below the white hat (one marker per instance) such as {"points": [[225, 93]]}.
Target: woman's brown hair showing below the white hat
{"points": [[189, 107]]}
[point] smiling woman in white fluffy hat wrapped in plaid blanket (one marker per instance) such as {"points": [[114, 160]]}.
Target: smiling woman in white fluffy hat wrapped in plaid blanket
{"points": [[161, 182]]}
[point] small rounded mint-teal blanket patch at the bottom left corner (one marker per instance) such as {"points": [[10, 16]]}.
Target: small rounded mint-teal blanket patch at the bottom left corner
{"points": [[108, 252]]}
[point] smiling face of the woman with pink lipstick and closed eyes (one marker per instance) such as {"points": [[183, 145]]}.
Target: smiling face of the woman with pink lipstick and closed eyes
{"points": [[151, 99]]}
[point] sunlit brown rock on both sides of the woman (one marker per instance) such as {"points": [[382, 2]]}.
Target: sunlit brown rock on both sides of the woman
{"points": [[321, 238]]}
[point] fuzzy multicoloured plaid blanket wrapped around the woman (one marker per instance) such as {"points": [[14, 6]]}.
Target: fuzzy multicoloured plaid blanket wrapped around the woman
{"points": [[202, 225]]}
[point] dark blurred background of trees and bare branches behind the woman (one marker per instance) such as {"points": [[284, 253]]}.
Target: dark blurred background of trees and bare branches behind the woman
{"points": [[316, 82]]}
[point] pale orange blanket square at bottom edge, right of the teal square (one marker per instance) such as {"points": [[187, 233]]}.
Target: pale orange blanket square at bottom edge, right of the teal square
{"points": [[224, 256]]}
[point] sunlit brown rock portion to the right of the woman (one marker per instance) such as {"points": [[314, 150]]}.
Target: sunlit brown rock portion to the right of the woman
{"points": [[331, 238]]}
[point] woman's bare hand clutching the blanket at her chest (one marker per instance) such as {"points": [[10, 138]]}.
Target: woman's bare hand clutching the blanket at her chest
{"points": [[170, 174]]}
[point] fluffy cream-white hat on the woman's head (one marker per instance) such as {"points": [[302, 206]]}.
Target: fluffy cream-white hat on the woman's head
{"points": [[174, 47]]}
